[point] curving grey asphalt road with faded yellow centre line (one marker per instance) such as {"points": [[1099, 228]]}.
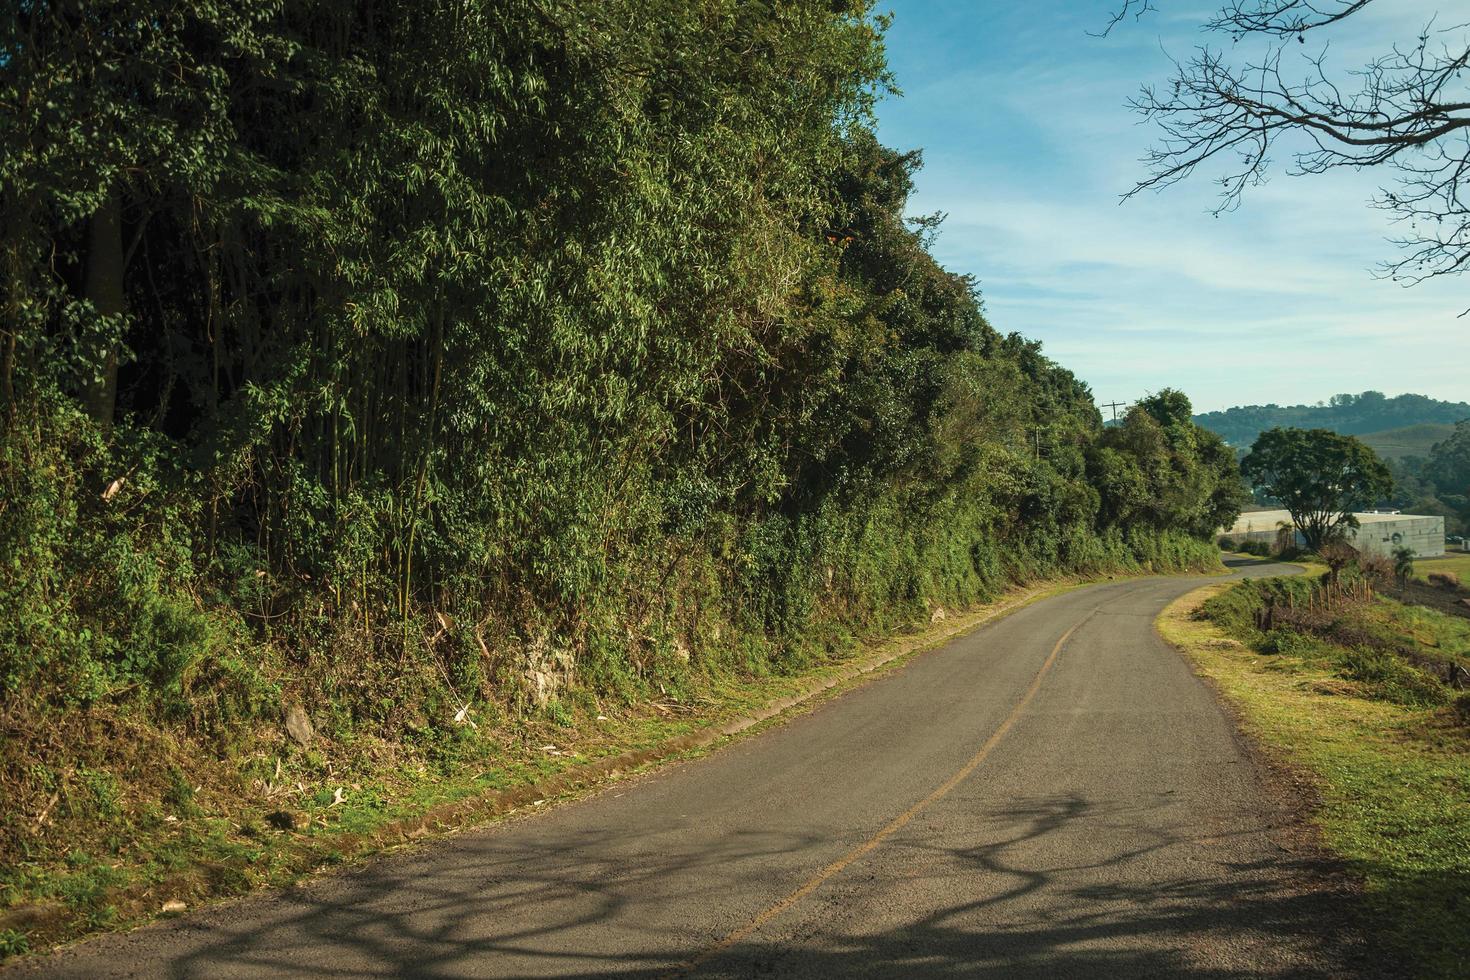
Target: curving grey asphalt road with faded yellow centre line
{"points": [[1056, 796]]}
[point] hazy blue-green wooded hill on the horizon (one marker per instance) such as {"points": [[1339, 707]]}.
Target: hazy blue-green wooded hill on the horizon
{"points": [[1372, 412]]}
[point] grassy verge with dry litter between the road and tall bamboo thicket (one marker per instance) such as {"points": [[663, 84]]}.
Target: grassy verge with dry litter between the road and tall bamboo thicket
{"points": [[311, 809]]}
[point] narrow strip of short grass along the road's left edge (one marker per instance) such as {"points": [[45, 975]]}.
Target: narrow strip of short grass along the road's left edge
{"points": [[580, 765]]}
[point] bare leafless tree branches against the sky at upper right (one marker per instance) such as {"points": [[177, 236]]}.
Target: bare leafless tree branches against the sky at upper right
{"points": [[1408, 111]]}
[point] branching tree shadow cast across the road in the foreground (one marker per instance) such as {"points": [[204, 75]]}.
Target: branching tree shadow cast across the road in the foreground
{"points": [[620, 903]]}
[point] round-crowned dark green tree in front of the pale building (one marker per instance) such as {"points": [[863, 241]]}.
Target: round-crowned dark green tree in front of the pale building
{"points": [[1319, 477]]}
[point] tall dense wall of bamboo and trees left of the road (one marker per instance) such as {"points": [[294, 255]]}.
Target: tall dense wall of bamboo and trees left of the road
{"points": [[415, 358]]}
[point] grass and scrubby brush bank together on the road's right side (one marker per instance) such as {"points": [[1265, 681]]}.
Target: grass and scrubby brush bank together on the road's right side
{"points": [[1371, 699]]}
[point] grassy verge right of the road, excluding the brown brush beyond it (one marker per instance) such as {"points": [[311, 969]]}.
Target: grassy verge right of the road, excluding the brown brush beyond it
{"points": [[1390, 757]]}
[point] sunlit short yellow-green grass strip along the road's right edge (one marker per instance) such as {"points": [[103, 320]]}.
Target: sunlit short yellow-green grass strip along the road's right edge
{"points": [[1356, 781]]}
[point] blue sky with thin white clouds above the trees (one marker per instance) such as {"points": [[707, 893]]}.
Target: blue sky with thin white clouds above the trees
{"points": [[1028, 146]]}
